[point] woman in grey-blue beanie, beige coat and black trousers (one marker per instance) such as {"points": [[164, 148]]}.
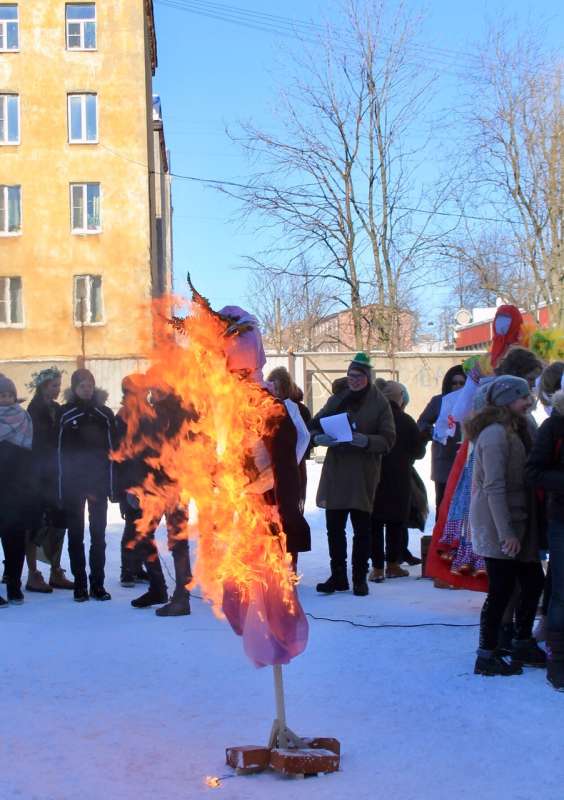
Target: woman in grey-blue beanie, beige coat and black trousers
{"points": [[502, 526]]}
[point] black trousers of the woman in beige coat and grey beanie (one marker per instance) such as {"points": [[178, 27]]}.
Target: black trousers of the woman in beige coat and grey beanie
{"points": [[503, 576]]}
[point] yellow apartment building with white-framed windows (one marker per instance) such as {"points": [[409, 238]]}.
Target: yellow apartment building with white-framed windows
{"points": [[81, 249]]}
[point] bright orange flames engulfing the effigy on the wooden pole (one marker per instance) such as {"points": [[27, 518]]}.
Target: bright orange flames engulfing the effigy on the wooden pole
{"points": [[211, 461]]}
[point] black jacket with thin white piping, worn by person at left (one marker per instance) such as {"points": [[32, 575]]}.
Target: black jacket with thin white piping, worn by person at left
{"points": [[87, 435]]}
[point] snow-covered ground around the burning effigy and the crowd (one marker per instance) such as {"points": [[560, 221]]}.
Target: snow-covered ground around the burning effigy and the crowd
{"points": [[103, 702]]}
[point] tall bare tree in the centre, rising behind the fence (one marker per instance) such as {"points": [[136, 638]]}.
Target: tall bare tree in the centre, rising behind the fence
{"points": [[337, 186]]}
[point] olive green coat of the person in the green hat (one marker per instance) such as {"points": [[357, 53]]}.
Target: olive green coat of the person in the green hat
{"points": [[350, 474]]}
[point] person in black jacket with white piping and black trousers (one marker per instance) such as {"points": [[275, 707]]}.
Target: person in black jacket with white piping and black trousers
{"points": [[87, 433]]}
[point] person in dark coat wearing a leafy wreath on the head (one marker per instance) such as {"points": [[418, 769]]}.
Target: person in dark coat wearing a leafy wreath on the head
{"points": [[49, 523]]}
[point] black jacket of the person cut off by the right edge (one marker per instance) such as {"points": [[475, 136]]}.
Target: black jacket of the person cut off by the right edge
{"points": [[545, 465]]}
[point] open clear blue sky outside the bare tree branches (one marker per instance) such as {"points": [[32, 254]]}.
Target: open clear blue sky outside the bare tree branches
{"points": [[213, 73]]}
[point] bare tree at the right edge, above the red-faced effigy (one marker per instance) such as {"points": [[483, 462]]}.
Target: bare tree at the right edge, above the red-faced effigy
{"points": [[517, 171]]}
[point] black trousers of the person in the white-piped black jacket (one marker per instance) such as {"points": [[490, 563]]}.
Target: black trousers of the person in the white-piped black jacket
{"points": [[97, 520]]}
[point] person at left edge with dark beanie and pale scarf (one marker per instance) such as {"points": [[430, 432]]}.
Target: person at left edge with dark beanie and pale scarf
{"points": [[16, 432]]}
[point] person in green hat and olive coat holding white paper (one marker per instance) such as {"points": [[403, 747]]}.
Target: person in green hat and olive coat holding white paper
{"points": [[351, 472]]}
